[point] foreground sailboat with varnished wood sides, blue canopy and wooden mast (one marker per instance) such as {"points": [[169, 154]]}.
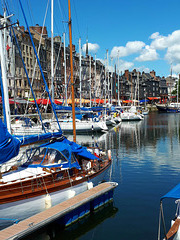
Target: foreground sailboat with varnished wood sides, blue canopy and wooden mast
{"points": [[51, 173]]}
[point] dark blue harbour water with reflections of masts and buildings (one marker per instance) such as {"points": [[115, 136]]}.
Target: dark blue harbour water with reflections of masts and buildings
{"points": [[146, 165]]}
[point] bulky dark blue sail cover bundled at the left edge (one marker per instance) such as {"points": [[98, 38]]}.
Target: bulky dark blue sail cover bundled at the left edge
{"points": [[9, 145]]}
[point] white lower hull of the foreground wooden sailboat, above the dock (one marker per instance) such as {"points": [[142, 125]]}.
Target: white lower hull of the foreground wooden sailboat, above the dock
{"points": [[23, 209]]}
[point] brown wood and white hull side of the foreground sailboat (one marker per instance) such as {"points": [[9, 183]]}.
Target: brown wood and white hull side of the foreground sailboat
{"points": [[21, 206]]}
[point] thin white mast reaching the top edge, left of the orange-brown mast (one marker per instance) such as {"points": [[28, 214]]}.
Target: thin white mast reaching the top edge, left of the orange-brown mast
{"points": [[52, 54]]}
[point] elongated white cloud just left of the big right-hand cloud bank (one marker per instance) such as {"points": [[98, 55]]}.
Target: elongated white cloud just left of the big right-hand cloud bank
{"points": [[130, 48]]}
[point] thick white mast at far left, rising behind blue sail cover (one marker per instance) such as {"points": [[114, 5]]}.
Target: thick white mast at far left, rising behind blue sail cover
{"points": [[4, 83]]}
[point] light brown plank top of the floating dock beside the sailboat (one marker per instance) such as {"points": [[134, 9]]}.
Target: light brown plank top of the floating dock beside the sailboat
{"points": [[37, 221]]}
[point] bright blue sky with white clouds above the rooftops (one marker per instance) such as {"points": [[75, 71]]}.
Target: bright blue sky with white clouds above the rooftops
{"points": [[145, 34]]}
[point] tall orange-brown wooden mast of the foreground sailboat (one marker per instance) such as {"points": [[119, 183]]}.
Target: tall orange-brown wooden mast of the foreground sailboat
{"points": [[72, 82]]}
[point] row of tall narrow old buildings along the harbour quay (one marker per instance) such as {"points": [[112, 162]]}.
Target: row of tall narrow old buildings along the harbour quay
{"points": [[94, 74]]}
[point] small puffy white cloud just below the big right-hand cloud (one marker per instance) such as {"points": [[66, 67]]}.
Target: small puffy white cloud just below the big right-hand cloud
{"points": [[147, 54]]}
